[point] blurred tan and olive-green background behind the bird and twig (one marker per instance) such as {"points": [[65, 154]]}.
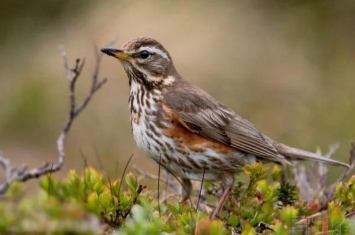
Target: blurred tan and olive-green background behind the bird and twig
{"points": [[287, 66]]}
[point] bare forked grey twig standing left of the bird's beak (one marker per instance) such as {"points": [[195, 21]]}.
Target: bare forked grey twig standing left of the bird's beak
{"points": [[22, 174]]}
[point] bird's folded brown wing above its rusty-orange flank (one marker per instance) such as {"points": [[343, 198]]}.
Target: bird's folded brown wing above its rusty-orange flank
{"points": [[202, 114]]}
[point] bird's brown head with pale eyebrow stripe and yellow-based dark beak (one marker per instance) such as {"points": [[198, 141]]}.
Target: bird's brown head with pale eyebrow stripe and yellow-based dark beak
{"points": [[145, 61]]}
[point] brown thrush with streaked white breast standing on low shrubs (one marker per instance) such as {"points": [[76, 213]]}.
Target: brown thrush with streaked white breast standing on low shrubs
{"points": [[186, 130]]}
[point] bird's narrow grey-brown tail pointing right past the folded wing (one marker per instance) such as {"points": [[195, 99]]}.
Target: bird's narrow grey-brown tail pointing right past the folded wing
{"points": [[298, 154]]}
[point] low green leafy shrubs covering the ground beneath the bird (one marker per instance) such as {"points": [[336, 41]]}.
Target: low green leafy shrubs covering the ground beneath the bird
{"points": [[94, 204]]}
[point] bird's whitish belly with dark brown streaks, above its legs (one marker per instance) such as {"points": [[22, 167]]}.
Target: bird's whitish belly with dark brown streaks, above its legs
{"points": [[188, 161]]}
